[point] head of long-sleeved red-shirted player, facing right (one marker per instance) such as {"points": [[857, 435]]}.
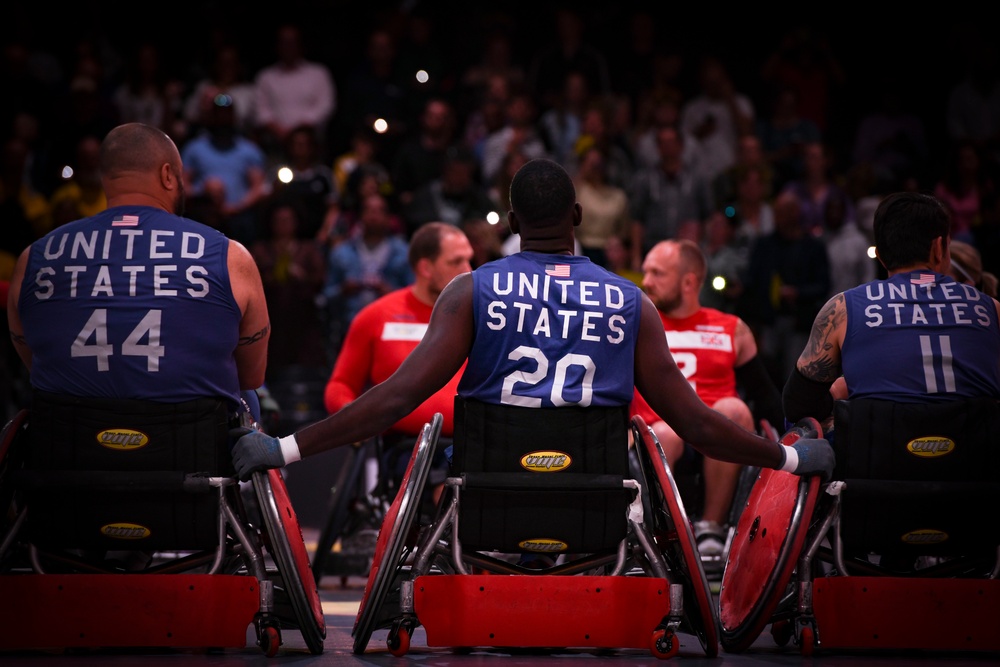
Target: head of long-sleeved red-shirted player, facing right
{"points": [[438, 252]]}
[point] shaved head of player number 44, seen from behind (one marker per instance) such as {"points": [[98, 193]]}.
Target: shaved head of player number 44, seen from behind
{"points": [[141, 159]]}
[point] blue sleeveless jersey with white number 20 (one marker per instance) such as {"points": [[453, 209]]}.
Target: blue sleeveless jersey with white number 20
{"points": [[551, 331]]}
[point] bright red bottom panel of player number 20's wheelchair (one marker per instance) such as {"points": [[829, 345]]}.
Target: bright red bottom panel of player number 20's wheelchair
{"points": [[543, 611]]}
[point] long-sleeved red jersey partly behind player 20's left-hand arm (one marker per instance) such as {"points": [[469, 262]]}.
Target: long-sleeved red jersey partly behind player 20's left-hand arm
{"points": [[380, 337]]}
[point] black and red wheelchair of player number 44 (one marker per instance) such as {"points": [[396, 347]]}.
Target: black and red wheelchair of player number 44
{"points": [[122, 525]]}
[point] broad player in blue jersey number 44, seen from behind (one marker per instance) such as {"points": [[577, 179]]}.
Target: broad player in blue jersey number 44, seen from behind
{"points": [[138, 302]]}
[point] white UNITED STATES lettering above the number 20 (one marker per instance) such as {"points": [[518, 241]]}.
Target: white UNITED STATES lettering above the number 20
{"points": [[589, 313]]}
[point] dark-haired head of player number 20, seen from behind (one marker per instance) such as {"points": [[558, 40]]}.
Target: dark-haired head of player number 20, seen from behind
{"points": [[543, 201]]}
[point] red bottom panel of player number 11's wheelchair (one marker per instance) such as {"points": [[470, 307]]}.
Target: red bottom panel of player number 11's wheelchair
{"points": [[907, 613]]}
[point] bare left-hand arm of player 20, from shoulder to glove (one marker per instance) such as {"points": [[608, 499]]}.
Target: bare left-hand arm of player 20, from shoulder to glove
{"points": [[434, 361]]}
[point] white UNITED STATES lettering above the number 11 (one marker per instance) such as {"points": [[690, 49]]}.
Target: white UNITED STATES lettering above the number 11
{"points": [[905, 304]]}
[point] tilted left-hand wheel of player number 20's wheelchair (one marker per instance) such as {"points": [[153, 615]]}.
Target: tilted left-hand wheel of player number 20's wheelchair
{"points": [[389, 562]]}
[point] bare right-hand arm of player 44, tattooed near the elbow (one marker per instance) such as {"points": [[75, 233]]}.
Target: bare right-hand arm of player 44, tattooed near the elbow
{"points": [[255, 325]]}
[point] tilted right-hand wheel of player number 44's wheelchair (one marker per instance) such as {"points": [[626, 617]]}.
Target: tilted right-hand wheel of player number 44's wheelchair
{"points": [[290, 555]]}
